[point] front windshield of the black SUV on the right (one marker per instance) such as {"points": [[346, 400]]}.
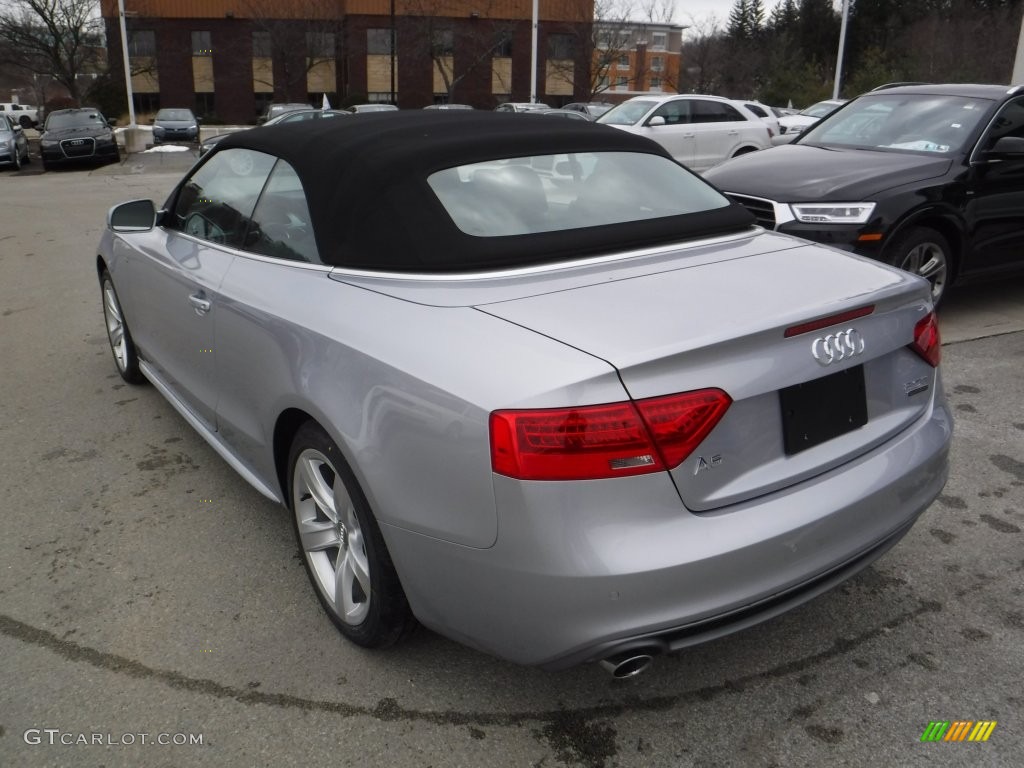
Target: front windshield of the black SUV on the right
{"points": [[927, 123]]}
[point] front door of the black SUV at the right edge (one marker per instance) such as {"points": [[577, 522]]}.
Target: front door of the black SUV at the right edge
{"points": [[995, 214]]}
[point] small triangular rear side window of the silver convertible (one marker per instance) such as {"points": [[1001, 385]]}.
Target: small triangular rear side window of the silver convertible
{"points": [[281, 226]]}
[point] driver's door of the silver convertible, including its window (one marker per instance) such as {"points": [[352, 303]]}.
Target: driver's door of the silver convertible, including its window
{"points": [[176, 285]]}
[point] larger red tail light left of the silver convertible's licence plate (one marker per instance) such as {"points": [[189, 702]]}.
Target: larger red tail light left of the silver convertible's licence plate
{"points": [[611, 441]]}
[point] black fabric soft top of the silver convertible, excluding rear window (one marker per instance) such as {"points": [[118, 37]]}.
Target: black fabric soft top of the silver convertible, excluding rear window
{"points": [[372, 208]]}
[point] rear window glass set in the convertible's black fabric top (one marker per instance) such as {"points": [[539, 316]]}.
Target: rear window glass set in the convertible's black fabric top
{"points": [[549, 193]]}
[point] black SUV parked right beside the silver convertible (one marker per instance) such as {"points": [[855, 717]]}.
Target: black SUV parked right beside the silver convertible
{"points": [[929, 179]]}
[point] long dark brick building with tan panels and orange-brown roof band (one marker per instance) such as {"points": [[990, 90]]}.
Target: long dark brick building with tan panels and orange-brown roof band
{"points": [[229, 59]]}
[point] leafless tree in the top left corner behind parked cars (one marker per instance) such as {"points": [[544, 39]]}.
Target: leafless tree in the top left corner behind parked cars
{"points": [[61, 39]]}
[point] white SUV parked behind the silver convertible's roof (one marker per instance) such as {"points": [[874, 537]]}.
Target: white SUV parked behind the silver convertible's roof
{"points": [[699, 132]]}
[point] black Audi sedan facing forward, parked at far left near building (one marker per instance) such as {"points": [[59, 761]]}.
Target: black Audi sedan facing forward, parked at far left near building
{"points": [[77, 137]]}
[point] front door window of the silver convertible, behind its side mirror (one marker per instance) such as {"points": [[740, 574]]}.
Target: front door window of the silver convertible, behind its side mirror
{"points": [[218, 201]]}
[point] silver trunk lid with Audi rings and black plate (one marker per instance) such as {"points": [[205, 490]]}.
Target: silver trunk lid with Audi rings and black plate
{"points": [[798, 410]]}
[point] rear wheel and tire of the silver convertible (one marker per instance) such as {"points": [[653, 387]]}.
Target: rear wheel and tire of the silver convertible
{"points": [[336, 533]]}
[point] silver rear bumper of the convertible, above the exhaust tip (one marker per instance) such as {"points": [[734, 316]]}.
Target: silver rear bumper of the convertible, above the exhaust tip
{"points": [[583, 571]]}
